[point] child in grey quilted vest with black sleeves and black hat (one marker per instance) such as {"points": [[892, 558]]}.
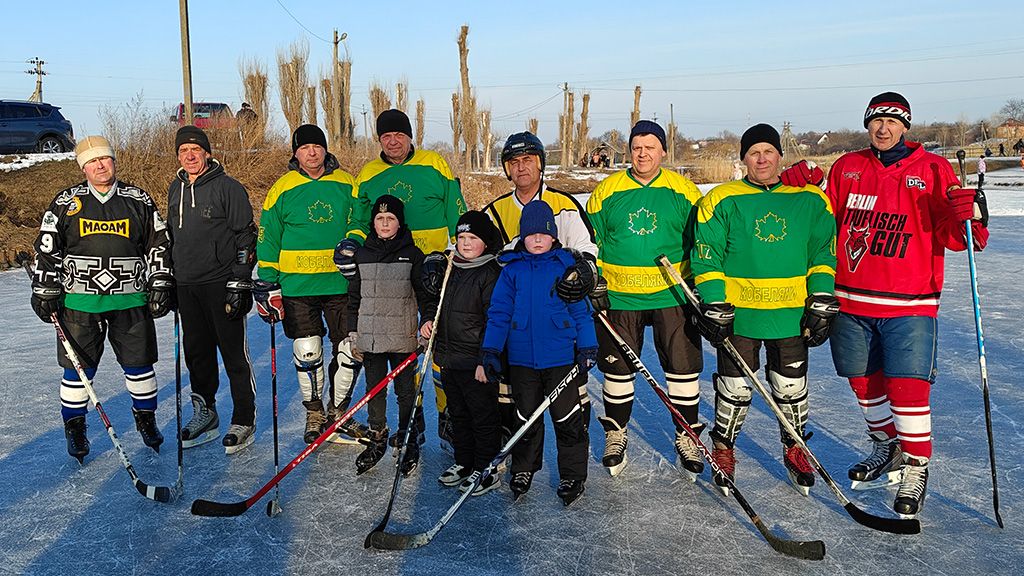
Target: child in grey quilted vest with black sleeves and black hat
{"points": [[385, 298]]}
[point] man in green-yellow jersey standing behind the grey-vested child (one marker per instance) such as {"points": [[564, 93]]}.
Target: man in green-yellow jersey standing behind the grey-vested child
{"points": [[423, 181]]}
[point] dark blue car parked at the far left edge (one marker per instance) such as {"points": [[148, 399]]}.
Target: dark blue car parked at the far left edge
{"points": [[29, 127]]}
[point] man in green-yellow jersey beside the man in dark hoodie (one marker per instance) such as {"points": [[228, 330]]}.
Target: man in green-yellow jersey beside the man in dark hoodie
{"points": [[305, 217]]}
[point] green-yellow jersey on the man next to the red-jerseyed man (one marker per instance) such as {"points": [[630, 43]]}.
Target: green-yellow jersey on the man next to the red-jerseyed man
{"points": [[764, 251]]}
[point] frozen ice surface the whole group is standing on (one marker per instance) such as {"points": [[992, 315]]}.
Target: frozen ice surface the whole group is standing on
{"points": [[60, 518]]}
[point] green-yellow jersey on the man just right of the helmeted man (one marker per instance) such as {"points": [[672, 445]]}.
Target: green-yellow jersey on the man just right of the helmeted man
{"points": [[634, 224]]}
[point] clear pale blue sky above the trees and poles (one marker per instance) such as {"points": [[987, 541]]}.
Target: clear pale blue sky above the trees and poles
{"points": [[723, 65]]}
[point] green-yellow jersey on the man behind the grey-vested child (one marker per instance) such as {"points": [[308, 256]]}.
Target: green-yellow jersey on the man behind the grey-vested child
{"points": [[424, 184]]}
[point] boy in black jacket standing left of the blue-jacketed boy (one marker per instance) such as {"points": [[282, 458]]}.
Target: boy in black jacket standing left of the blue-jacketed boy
{"points": [[473, 401]]}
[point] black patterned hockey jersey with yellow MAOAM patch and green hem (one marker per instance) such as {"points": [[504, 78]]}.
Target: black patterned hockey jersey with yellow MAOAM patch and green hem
{"points": [[102, 248]]}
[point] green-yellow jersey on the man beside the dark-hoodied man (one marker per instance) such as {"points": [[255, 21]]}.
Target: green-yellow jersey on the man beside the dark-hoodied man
{"points": [[304, 220]]}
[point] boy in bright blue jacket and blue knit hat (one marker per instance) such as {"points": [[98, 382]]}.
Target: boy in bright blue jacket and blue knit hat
{"points": [[542, 334]]}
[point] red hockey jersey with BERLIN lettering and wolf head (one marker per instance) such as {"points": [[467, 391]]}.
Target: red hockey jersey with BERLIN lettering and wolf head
{"points": [[893, 227]]}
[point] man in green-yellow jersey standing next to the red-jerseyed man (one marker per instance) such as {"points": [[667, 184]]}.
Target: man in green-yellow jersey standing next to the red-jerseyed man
{"points": [[764, 258]]}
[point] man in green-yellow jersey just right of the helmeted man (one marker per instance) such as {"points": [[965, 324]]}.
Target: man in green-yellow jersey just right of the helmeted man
{"points": [[637, 215]]}
